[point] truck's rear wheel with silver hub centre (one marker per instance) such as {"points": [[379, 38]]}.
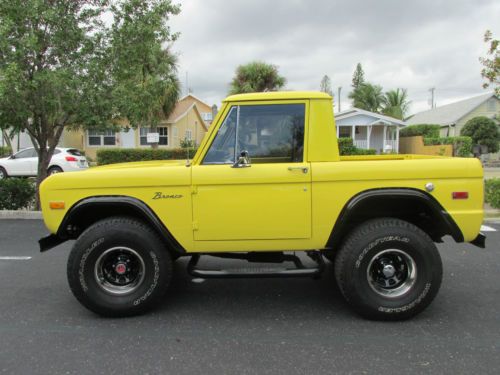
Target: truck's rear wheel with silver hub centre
{"points": [[388, 269]]}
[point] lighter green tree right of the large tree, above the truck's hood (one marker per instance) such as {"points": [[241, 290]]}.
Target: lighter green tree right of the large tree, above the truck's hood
{"points": [[146, 87]]}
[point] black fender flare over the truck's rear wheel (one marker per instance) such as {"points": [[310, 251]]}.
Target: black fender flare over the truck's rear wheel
{"points": [[363, 200]]}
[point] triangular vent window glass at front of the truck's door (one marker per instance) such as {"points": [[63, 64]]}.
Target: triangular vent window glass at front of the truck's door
{"points": [[222, 150]]}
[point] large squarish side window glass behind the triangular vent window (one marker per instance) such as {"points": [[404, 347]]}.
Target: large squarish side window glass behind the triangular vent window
{"points": [[272, 133]]}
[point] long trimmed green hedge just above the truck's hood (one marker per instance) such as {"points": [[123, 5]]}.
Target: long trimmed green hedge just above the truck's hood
{"points": [[126, 155]]}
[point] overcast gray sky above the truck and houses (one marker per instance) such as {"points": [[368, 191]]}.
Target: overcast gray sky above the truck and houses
{"points": [[409, 44]]}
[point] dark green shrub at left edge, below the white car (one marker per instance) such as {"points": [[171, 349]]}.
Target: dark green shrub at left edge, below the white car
{"points": [[16, 193]]}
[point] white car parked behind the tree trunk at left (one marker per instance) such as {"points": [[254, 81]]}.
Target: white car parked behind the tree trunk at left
{"points": [[25, 162]]}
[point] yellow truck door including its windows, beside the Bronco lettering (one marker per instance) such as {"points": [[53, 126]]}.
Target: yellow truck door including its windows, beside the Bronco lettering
{"points": [[268, 194]]}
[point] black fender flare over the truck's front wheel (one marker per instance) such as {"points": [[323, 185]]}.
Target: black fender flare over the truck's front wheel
{"points": [[78, 213]]}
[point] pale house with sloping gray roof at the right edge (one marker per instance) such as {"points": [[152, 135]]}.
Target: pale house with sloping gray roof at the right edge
{"points": [[452, 117]]}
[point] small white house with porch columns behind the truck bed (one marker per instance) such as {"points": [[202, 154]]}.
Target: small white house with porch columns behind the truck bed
{"points": [[369, 130]]}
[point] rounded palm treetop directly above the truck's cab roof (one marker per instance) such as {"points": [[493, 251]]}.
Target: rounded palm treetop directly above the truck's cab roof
{"points": [[256, 76]]}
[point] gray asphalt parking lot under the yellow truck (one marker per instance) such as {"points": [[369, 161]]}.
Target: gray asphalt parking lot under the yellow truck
{"points": [[278, 326]]}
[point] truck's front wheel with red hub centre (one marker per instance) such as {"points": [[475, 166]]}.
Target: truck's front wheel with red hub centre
{"points": [[119, 267]]}
